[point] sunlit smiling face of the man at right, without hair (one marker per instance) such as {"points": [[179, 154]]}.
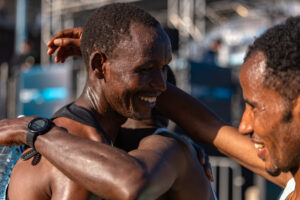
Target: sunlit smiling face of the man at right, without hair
{"points": [[275, 138]]}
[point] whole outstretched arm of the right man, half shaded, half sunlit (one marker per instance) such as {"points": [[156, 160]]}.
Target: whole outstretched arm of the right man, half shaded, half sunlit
{"points": [[202, 125]]}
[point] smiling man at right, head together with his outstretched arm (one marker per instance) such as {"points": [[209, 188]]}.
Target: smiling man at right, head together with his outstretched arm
{"points": [[270, 79]]}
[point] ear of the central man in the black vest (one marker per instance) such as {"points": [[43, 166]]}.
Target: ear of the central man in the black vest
{"points": [[97, 60]]}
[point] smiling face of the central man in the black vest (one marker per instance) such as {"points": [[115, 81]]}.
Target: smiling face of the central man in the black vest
{"points": [[135, 75]]}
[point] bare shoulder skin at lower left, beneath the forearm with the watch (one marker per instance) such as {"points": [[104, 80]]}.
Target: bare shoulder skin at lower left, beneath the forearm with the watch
{"points": [[42, 181]]}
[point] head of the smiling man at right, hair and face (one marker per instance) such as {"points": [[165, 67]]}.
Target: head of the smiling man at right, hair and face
{"points": [[271, 116]]}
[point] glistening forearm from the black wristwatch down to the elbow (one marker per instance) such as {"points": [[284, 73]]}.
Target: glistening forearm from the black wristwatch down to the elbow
{"points": [[106, 171]]}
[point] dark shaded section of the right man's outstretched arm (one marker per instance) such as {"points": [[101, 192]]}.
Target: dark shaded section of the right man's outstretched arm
{"points": [[200, 123]]}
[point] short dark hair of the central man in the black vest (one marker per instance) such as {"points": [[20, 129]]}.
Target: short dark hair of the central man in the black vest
{"points": [[108, 25]]}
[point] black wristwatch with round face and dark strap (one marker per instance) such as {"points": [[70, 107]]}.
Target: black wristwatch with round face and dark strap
{"points": [[36, 127]]}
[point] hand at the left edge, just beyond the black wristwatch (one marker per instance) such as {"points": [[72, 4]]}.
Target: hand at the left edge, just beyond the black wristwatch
{"points": [[13, 131]]}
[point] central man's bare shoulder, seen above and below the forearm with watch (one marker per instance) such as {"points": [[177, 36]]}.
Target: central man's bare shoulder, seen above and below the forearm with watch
{"points": [[38, 179]]}
